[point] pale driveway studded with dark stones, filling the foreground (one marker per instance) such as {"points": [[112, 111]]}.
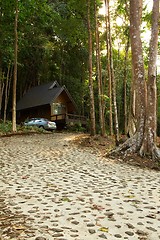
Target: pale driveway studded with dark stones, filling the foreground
{"points": [[51, 189]]}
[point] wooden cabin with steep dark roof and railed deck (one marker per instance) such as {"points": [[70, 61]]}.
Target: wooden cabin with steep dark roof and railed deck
{"points": [[49, 101]]}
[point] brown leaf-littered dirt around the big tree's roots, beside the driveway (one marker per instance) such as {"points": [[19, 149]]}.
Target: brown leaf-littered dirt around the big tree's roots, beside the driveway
{"points": [[102, 145]]}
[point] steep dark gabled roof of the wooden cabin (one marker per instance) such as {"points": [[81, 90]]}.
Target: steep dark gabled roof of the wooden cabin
{"points": [[42, 95]]}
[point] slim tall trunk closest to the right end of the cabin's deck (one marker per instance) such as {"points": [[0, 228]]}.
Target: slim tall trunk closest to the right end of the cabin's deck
{"points": [[92, 107]]}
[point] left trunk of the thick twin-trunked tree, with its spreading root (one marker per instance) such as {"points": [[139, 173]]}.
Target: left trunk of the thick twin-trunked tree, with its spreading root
{"points": [[135, 142]]}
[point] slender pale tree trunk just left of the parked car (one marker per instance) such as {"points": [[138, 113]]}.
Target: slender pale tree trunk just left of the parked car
{"points": [[14, 128]]}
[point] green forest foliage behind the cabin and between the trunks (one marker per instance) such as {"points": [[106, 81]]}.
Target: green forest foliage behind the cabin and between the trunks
{"points": [[53, 45]]}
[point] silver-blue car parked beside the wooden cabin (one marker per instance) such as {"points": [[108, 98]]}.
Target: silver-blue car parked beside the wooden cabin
{"points": [[41, 123]]}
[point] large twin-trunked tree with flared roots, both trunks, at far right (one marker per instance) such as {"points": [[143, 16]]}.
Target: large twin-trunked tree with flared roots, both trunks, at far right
{"points": [[144, 139]]}
